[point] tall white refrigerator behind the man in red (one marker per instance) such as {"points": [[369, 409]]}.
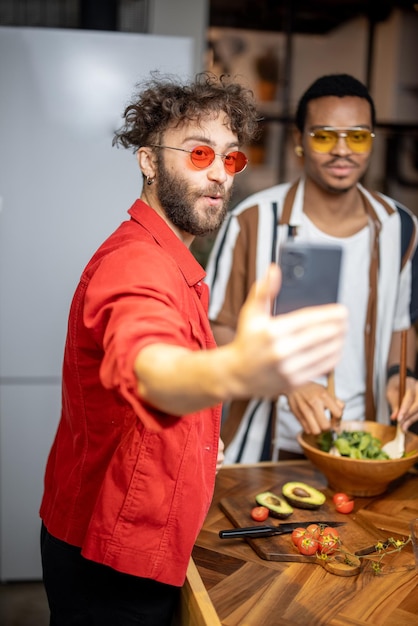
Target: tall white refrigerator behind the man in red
{"points": [[63, 189]]}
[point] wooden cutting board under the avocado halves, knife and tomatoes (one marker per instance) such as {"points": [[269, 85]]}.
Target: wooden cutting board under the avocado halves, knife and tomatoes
{"points": [[358, 532]]}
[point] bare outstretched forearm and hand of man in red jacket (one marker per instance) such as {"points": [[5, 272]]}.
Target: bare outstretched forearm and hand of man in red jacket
{"points": [[268, 356]]}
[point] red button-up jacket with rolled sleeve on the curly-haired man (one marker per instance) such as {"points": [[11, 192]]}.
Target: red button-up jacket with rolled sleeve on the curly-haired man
{"points": [[128, 484]]}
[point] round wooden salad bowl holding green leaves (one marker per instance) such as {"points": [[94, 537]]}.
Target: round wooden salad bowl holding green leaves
{"points": [[361, 477]]}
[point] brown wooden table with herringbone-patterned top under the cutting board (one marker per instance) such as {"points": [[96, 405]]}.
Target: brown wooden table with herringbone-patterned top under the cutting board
{"points": [[228, 584]]}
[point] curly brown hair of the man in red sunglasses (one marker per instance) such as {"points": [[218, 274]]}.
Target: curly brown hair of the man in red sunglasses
{"points": [[165, 102]]}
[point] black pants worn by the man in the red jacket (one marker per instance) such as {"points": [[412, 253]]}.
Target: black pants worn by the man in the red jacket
{"points": [[83, 593]]}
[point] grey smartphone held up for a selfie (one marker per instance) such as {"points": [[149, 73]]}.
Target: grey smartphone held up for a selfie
{"points": [[310, 275]]}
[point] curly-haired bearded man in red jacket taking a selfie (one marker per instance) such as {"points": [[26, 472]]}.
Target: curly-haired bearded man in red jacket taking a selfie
{"points": [[131, 473]]}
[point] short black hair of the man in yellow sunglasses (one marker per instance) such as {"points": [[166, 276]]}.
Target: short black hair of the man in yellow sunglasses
{"points": [[339, 85]]}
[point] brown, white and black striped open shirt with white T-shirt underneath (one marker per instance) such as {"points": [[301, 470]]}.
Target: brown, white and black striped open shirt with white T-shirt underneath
{"points": [[248, 242]]}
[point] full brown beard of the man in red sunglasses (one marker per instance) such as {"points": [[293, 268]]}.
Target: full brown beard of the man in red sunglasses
{"points": [[178, 201]]}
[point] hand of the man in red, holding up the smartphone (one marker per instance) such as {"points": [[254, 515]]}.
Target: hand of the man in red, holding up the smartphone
{"points": [[276, 354]]}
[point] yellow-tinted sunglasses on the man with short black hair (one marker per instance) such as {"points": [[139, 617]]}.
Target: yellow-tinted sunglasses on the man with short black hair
{"points": [[325, 138]]}
